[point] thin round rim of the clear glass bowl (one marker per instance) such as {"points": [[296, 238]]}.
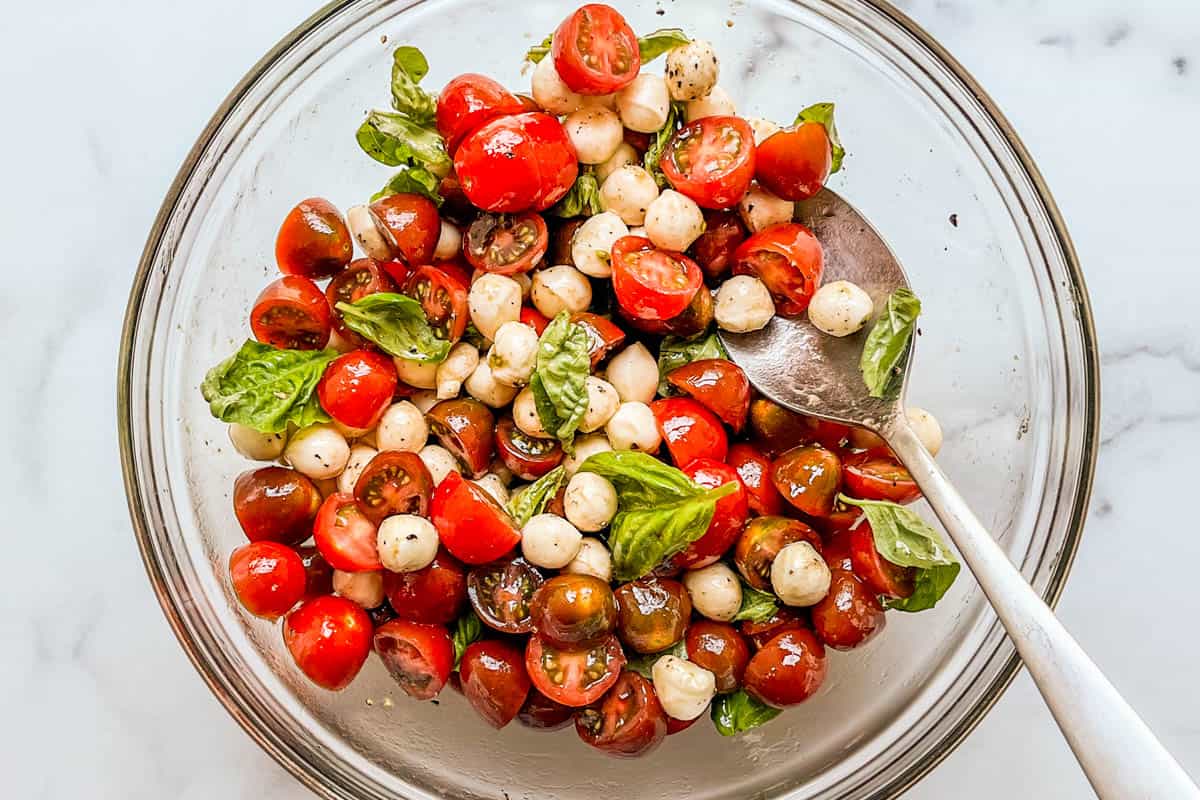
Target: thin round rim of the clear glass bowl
{"points": [[143, 527]]}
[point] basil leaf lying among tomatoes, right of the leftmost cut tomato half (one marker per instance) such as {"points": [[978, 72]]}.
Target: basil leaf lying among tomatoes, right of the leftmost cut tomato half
{"points": [[398, 324]]}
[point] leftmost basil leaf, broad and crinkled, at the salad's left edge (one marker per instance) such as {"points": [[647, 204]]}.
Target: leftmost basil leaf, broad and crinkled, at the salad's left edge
{"points": [[268, 389]]}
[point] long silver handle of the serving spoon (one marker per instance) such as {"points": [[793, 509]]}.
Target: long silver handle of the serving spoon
{"points": [[1121, 757]]}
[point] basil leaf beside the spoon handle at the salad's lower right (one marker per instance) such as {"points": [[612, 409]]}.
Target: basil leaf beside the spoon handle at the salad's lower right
{"points": [[905, 539]]}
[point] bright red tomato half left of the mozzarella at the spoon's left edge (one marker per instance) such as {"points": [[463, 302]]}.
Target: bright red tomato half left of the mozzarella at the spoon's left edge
{"points": [[650, 284]]}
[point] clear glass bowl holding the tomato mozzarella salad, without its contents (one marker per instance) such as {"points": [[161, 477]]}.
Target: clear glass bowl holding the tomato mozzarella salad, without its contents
{"points": [[1007, 360]]}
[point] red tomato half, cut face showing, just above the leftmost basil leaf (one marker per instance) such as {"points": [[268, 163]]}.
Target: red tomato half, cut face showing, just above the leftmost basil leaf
{"points": [[291, 315]]}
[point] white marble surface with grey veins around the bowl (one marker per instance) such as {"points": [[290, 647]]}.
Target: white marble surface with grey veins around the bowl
{"points": [[104, 100]]}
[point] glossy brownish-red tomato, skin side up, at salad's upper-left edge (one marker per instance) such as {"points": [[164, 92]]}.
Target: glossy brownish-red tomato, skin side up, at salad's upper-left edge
{"points": [[314, 240]]}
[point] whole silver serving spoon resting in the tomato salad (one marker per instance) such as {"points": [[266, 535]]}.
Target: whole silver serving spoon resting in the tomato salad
{"points": [[796, 365]]}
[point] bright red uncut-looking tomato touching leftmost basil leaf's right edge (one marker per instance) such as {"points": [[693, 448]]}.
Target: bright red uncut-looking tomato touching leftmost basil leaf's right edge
{"points": [[358, 388]]}
